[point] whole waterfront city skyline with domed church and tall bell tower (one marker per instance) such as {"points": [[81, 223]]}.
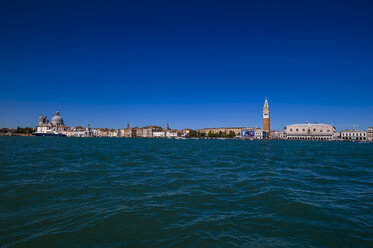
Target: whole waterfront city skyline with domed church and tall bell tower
{"points": [[305, 131]]}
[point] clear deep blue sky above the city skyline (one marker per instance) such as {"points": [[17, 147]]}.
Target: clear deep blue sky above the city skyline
{"points": [[187, 63]]}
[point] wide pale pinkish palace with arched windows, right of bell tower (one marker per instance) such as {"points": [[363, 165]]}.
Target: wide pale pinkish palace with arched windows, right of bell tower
{"points": [[309, 131]]}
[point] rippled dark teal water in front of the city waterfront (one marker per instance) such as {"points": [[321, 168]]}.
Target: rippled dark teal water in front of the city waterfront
{"points": [[102, 192]]}
